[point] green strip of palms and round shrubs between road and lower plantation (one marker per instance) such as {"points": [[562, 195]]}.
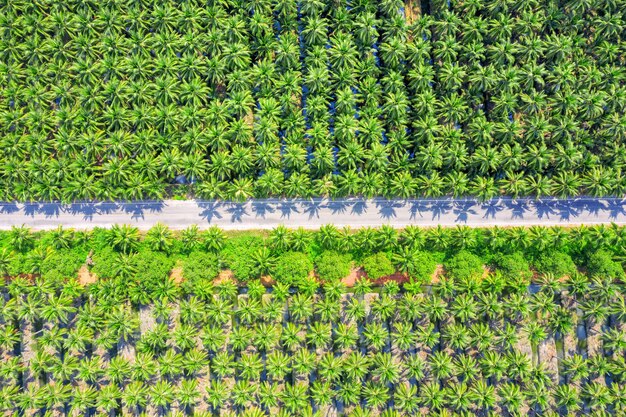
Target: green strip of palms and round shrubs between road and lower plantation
{"points": [[295, 257]]}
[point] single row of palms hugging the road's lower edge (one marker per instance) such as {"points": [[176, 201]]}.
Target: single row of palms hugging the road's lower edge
{"points": [[127, 239]]}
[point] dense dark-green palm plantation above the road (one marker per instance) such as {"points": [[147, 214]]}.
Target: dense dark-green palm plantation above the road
{"points": [[132, 99]]}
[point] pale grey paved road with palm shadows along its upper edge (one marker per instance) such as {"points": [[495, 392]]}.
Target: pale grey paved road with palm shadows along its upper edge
{"points": [[312, 213]]}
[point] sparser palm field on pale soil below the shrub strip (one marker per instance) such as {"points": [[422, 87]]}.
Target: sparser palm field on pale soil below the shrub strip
{"points": [[456, 349]]}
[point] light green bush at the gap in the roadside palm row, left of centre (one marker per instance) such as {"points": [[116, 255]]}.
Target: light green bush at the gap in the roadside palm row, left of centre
{"points": [[238, 256]]}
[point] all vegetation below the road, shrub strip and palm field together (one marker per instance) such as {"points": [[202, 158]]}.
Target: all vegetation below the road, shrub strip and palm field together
{"points": [[461, 322]]}
